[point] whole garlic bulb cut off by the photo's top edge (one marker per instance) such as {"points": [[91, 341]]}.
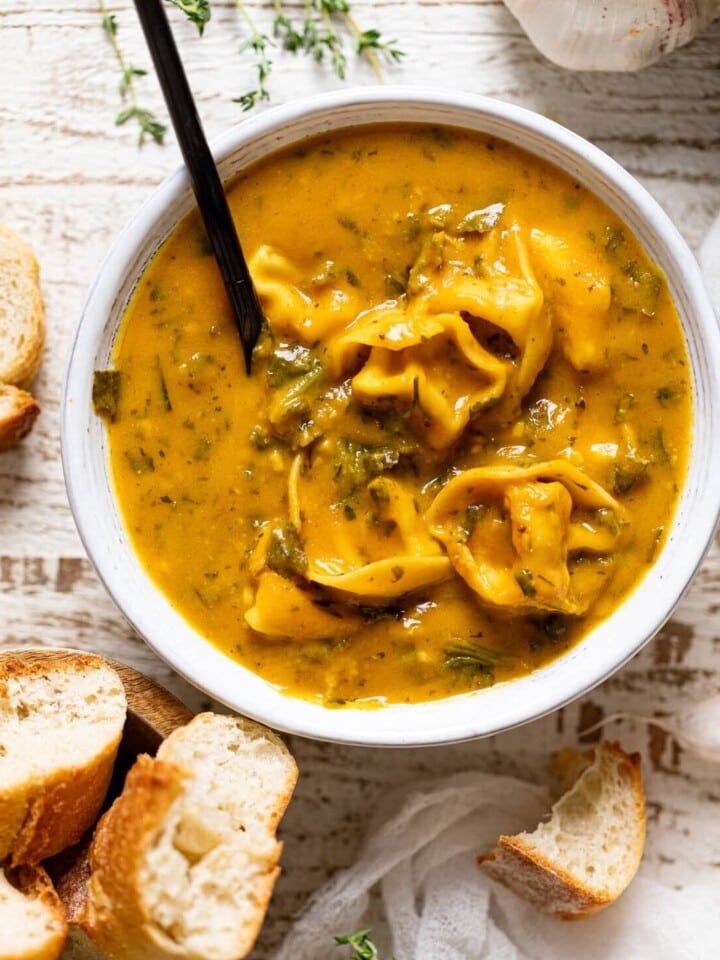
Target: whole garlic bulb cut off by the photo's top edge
{"points": [[611, 34]]}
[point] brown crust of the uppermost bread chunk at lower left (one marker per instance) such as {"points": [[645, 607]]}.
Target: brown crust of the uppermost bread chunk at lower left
{"points": [[42, 815]]}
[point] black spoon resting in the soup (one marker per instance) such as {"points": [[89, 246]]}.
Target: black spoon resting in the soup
{"points": [[203, 174]]}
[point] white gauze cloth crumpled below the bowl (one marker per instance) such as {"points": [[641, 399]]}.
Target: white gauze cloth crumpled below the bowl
{"points": [[416, 883]]}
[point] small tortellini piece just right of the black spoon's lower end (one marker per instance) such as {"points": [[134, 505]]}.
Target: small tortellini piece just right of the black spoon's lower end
{"points": [[291, 312]]}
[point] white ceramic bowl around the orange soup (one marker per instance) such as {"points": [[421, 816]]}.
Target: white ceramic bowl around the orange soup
{"points": [[469, 715]]}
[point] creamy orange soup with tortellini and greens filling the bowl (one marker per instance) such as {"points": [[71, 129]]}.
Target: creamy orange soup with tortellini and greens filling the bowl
{"points": [[463, 437]]}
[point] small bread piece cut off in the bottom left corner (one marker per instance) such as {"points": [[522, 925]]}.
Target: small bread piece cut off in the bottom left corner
{"points": [[32, 923]]}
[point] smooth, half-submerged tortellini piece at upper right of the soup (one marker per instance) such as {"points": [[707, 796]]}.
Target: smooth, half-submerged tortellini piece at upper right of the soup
{"points": [[579, 295]]}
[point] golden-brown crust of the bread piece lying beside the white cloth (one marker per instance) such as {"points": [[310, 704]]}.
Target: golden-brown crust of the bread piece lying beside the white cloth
{"points": [[520, 862]]}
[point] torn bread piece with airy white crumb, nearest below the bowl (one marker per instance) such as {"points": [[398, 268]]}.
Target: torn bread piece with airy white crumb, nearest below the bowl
{"points": [[184, 862]]}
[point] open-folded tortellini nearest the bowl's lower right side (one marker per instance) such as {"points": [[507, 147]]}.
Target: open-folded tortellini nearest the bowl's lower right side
{"points": [[529, 538]]}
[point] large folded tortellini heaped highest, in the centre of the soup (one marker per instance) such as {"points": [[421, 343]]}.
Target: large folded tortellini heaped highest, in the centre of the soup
{"points": [[431, 350]]}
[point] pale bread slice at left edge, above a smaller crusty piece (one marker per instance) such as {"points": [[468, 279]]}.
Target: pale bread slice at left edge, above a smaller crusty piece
{"points": [[22, 312]]}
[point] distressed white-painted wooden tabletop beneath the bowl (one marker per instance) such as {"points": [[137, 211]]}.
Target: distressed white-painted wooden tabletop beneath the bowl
{"points": [[69, 179]]}
